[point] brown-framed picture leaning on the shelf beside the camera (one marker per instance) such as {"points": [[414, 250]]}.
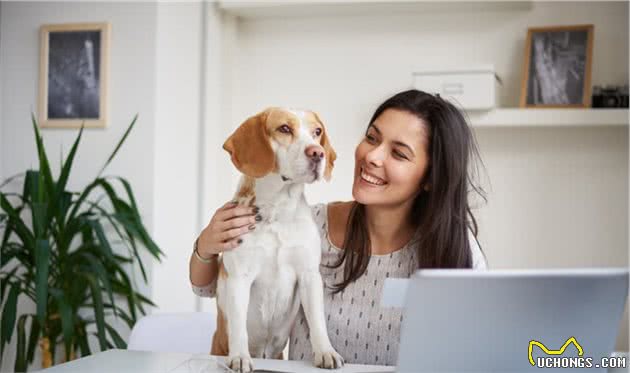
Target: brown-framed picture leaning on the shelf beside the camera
{"points": [[557, 68]]}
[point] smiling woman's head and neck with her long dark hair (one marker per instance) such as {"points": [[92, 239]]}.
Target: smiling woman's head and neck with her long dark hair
{"points": [[411, 186]]}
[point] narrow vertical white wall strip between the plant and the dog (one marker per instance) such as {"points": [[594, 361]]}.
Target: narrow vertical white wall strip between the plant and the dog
{"points": [[177, 174]]}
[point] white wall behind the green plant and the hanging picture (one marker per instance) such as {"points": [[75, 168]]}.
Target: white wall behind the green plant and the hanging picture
{"points": [[132, 90]]}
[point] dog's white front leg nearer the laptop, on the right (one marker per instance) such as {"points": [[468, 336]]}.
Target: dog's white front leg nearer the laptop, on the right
{"points": [[312, 298]]}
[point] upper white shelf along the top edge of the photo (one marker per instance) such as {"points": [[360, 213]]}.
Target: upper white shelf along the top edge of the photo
{"points": [[310, 8]]}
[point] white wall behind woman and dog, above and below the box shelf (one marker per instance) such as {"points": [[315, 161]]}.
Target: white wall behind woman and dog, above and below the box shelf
{"points": [[558, 196]]}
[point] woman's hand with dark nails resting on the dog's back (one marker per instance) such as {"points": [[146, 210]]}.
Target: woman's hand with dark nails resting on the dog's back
{"points": [[225, 228]]}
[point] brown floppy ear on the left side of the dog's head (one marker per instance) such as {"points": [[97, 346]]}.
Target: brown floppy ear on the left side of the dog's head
{"points": [[250, 147]]}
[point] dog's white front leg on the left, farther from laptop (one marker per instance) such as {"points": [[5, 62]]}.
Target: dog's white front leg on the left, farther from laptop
{"points": [[236, 305]]}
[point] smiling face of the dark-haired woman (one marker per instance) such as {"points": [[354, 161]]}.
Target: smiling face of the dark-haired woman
{"points": [[391, 159]]}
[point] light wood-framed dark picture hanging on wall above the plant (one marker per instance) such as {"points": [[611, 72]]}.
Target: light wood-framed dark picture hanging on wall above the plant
{"points": [[73, 75]]}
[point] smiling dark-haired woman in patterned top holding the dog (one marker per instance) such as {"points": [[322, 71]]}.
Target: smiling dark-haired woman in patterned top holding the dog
{"points": [[410, 210]]}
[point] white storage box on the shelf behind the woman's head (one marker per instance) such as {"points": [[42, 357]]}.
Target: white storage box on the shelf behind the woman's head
{"points": [[470, 89]]}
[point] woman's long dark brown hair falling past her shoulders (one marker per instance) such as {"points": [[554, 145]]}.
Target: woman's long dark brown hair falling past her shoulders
{"points": [[442, 214]]}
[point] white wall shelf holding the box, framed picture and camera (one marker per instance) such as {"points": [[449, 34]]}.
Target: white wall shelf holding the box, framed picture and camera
{"points": [[516, 117]]}
